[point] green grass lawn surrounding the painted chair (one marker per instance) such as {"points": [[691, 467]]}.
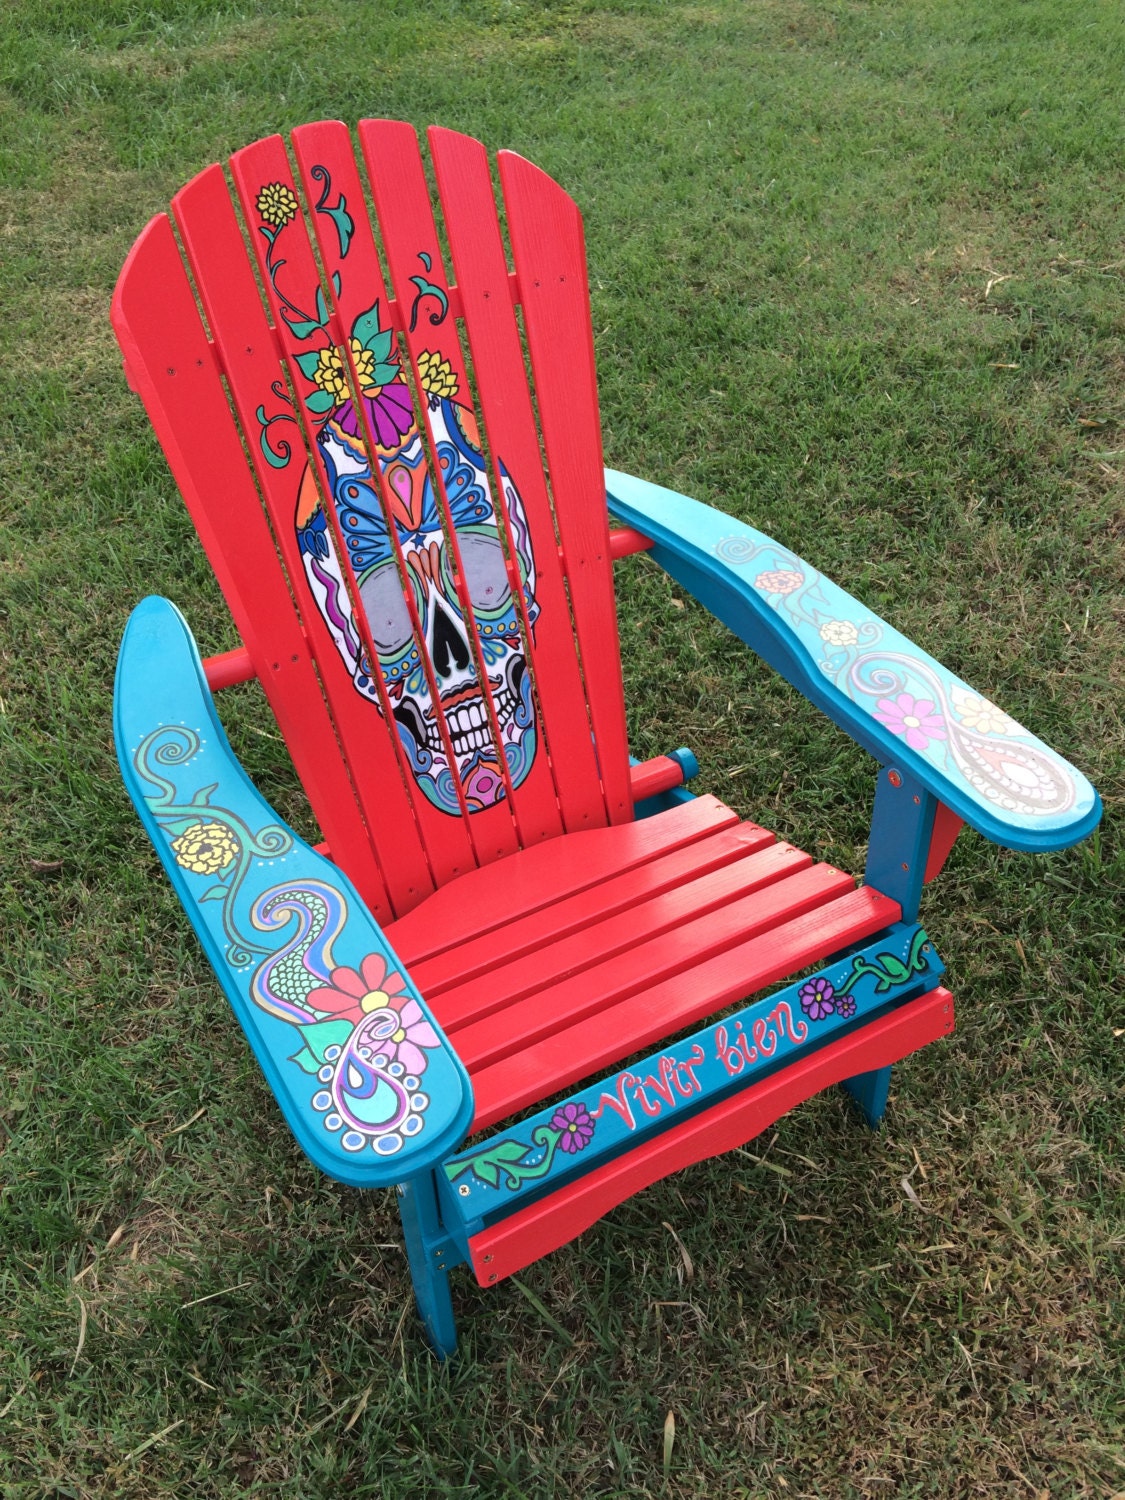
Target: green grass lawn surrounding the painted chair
{"points": [[799, 218]]}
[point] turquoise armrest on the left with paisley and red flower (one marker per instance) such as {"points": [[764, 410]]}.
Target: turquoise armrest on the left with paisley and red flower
{"points": [[370, 1087]]}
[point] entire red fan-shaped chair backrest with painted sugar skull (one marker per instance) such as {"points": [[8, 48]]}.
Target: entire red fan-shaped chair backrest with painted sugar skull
{"points": [[397, 478]]}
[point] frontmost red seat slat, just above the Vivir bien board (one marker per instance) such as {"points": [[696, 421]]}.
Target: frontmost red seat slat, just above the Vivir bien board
{"points": [[539, 1070]]}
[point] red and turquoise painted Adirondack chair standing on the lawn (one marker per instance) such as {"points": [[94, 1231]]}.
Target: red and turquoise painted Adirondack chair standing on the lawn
{"points": [[449, 994]]}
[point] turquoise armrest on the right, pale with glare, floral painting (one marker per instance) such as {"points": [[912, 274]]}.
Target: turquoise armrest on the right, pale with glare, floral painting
{"points": [[892, 698]]}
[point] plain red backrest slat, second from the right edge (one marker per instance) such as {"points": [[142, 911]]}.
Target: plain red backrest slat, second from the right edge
{"points": [[470, 212]]}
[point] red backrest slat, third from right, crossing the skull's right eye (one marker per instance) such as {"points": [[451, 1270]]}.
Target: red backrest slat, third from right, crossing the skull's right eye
{"points": [[491, 595]]}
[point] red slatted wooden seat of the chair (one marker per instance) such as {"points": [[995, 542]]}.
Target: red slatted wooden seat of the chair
{"points": [[568, 958]]}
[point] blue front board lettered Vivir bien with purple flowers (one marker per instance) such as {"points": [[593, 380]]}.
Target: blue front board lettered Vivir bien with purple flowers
{"points": [[566, 1141]]}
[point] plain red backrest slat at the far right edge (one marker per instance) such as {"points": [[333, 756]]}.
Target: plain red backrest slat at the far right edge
{"points": [[548, 247]]}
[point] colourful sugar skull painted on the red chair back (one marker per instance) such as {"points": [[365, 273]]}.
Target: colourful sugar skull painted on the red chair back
{"points": [[430, 575]]}
